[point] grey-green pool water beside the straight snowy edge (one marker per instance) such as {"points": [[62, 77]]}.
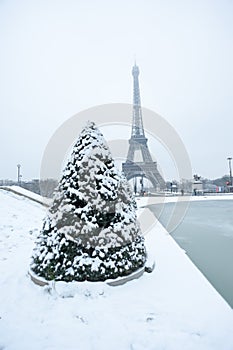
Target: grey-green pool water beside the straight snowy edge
{"points": [[206, 234]]}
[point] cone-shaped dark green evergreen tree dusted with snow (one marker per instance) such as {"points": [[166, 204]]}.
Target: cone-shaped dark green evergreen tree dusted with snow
{"points": [[91, 230]]}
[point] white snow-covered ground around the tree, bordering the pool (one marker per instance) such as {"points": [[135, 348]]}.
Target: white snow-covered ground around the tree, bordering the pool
{"points": [[174, 308]]}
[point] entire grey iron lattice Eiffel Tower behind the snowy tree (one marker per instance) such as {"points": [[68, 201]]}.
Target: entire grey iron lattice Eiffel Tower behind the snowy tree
{"points": [[146, 167]]}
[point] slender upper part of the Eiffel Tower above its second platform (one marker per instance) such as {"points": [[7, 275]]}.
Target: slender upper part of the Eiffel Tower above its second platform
{"points": [[137, 125]]}
